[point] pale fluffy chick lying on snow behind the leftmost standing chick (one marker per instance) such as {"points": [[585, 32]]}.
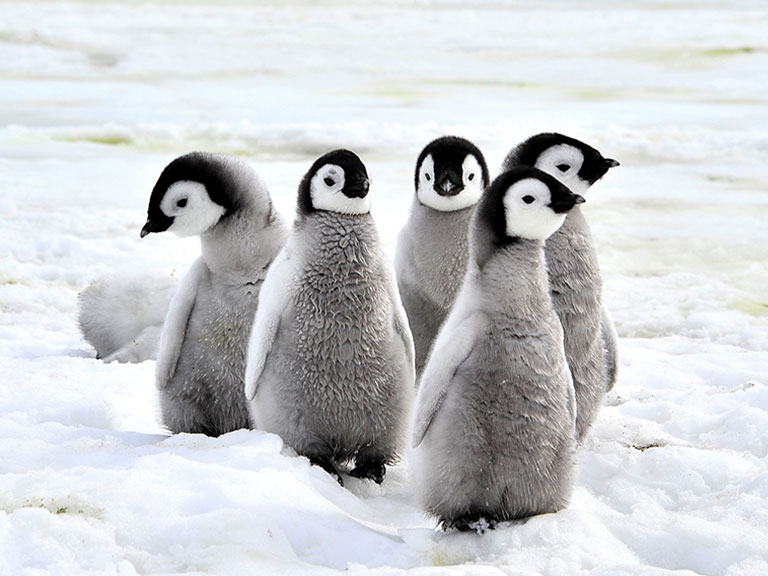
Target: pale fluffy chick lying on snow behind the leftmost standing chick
{"points": [[121, 314]]}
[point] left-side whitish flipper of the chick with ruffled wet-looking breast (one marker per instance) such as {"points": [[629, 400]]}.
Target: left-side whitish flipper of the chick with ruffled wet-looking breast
{"points": [[275, 295]]}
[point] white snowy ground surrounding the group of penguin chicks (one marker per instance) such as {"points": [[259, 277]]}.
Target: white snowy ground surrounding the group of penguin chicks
{"points": [[95, 99]]}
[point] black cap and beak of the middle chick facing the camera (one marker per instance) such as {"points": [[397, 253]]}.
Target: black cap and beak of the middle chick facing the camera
{"points": [[448, 154]]}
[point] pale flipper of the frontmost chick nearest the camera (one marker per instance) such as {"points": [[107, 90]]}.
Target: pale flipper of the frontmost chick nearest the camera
{"points": [[452, 347]]}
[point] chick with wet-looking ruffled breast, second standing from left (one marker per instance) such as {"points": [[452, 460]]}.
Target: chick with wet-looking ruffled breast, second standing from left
{"points": [[330, 360]]}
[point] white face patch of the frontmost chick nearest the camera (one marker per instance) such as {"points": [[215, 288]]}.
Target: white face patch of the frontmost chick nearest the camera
{"points": [[527, 211]]}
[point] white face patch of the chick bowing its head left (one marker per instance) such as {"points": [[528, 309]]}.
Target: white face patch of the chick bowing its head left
{"points": [[191, 208]]}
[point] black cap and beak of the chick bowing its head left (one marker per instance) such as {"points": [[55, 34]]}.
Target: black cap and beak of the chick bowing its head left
{"points": [[200, 167]]}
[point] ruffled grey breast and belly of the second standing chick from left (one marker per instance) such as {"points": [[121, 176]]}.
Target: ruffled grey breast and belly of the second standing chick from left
{"points": [[333, 387]]}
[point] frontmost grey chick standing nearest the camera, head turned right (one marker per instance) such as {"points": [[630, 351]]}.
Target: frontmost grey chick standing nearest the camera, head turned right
{"points": [[495, 414]]}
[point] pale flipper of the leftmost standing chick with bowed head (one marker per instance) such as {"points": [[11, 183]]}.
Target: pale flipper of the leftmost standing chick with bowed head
{"points": [[175, 325]]}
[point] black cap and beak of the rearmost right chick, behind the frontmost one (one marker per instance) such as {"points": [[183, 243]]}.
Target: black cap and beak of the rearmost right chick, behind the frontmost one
{"points": [[527, 153]]}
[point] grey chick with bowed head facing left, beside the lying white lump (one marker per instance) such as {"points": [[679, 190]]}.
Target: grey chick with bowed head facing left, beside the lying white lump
{"points": [[201, 359]]}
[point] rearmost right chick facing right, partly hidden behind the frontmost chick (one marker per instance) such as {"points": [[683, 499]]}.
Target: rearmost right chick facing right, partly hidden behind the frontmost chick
{"points": [[574, 274]]}
